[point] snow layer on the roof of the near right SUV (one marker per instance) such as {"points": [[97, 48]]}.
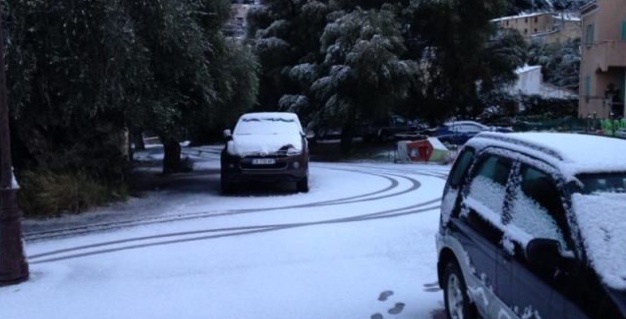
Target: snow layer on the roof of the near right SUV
{"points": [[572, 153]]}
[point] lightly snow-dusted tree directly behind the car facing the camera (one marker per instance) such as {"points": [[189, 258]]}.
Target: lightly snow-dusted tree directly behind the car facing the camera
{"points": [[285, 34]]}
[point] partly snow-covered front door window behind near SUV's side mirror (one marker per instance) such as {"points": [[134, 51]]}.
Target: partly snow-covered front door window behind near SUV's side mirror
{"points": [[537, 208]]}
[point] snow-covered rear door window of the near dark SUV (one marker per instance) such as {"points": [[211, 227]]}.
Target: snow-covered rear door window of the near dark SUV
{"points": [[488, 185]]}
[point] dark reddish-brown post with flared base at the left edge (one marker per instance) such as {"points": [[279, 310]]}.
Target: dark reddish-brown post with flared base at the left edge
{"points": [[13, 266]]}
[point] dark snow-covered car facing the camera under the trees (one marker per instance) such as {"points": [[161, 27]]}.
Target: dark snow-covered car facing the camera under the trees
{"points": [[265, 147]]}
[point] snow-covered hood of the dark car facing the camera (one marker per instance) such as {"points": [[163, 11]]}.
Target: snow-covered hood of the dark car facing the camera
{"points": [[245, 145]]}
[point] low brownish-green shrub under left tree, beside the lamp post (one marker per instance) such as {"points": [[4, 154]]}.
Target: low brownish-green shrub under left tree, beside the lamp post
{"points": [[44, 193]]}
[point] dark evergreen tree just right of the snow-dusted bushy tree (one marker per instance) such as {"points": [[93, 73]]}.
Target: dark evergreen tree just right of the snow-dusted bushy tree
{"points": [[462, 55]]}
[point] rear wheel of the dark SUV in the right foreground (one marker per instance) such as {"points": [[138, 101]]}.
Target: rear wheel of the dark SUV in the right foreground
{"points": [[458, 305]]}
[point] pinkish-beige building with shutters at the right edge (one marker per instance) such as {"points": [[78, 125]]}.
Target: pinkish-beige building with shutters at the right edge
{"points": [[603, 60]]}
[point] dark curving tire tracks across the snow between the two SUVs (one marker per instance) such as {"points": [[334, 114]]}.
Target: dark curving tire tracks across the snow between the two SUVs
{"points": [[206, 234]]}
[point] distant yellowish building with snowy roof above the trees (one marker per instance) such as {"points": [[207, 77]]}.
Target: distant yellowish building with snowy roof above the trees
{"points": [[544, 27]]}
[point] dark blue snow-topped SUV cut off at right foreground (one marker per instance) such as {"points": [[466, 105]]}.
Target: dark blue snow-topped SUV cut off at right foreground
{"points": [[533, 225]]}
